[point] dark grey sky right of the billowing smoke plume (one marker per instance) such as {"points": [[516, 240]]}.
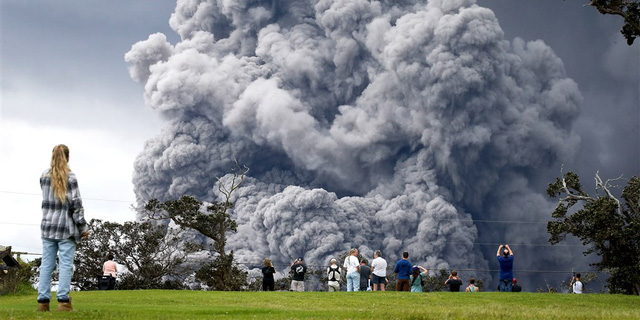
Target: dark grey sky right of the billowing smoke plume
{"points": [[606, 69]]}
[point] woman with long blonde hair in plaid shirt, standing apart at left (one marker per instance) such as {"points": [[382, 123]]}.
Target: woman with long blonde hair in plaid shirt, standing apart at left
{"points": [[62, 226]]}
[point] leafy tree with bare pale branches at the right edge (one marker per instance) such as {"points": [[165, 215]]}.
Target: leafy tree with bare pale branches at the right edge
{"points": [[609, 227]]}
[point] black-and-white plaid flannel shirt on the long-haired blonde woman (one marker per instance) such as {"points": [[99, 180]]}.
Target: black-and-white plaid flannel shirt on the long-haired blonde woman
{"points": [[62, 220]]}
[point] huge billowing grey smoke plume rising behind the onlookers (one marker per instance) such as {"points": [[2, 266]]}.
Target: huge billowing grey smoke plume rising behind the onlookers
{"points": [[372, 124]]}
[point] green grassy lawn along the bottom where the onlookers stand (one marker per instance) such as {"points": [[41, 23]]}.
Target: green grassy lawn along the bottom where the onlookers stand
{"points": [[158, 304]]}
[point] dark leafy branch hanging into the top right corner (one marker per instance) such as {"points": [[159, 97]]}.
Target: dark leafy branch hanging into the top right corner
{"points": [[629, 10]]}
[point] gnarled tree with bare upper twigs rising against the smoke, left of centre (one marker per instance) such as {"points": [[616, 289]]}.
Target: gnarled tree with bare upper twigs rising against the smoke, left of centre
{"points": [[213, 221]]}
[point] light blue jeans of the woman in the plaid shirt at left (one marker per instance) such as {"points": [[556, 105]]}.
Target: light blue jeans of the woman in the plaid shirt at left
{"points": [[50, 248]]}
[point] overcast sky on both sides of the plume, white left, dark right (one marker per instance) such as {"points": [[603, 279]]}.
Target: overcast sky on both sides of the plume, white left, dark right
{"points": [[64, 80]]}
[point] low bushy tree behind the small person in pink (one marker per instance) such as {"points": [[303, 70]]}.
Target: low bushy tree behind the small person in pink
{"points": [[153, 255]]}
